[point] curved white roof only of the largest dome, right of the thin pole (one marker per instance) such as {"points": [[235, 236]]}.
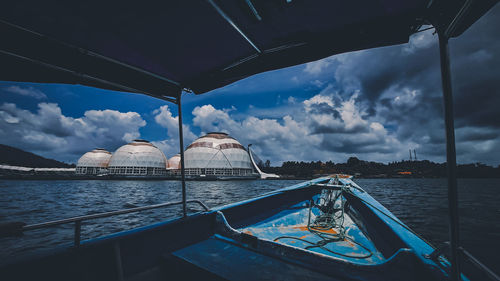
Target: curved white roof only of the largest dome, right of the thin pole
{"points": [[216, 150]]}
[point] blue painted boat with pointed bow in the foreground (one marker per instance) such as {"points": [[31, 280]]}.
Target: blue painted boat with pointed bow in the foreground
{"points": [[265, 238]]}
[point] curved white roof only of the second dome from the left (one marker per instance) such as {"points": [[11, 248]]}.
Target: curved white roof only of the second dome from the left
{"points": [[139, 153]]}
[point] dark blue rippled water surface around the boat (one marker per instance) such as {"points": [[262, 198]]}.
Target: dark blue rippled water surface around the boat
{"points": [[420, 203]]}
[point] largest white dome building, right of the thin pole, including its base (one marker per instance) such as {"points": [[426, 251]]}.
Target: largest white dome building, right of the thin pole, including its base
{"points": [[217, 155]]}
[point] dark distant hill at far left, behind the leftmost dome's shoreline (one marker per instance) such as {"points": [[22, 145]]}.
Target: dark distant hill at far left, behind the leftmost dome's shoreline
{"points": [[16, 157]]}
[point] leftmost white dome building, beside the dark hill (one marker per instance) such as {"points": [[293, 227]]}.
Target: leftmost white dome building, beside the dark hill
{"points": [[94, 162]]}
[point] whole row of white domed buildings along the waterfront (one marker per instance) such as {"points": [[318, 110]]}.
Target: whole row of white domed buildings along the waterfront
{"points": [[213, 156]]}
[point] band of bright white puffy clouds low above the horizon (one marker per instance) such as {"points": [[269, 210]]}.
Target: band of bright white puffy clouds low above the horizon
{"points": [[328, 128]]}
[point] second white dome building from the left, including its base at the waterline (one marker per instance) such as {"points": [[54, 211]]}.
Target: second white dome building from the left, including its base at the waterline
{"points": [[138, 158]]}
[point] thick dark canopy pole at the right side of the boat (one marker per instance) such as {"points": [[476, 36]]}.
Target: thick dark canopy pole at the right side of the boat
{"points": [[451, 161]]}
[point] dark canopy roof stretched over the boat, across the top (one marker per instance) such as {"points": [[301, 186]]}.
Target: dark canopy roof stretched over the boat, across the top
{"points": [[160, 47]]}
